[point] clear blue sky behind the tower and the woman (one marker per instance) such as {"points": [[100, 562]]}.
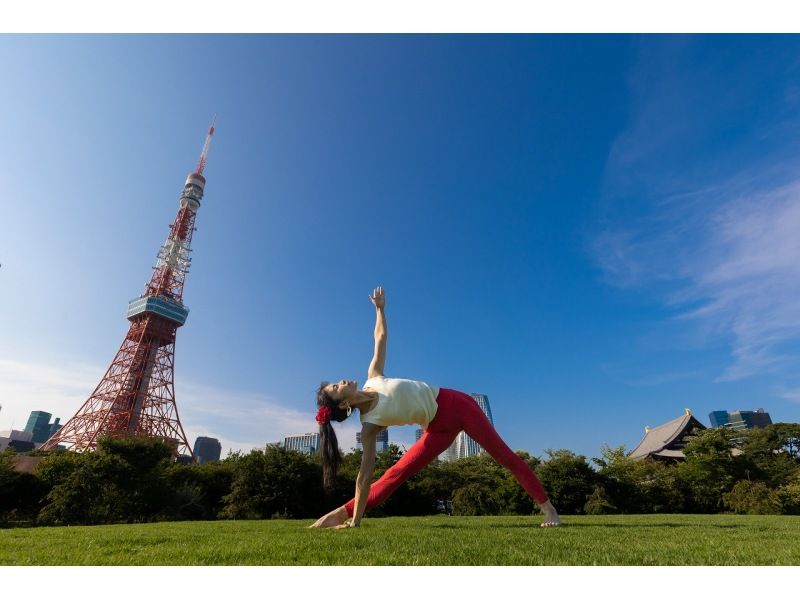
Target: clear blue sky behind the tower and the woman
{"points": [[594, 231]]}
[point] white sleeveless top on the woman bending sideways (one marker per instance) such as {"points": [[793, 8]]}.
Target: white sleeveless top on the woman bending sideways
{"points": [[401, 402]]}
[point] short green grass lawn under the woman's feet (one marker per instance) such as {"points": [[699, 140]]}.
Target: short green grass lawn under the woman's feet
{"points": [[439, 540]]}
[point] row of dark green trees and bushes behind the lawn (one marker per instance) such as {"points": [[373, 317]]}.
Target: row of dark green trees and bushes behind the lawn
{"points": [[753, 471]]}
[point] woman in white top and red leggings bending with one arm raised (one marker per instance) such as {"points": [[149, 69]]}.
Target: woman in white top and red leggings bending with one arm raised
{"points": [[383, 402]]}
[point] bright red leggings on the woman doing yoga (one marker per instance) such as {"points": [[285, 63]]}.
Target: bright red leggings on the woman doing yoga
{"points": [[456, 412]]}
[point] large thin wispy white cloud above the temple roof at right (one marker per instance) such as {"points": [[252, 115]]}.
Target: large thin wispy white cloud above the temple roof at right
{"points": [[715, 244]]}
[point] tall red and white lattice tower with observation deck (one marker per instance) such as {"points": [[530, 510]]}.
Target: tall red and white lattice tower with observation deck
{"points": [[136, 396]]}
